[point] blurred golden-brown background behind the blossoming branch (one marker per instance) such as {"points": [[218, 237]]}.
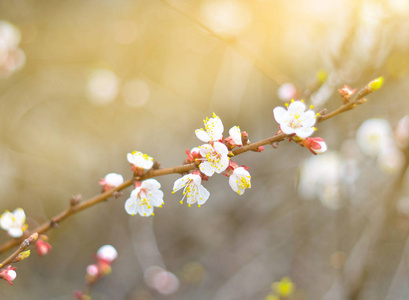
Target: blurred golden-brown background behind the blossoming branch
{"points": [[85, 82]]}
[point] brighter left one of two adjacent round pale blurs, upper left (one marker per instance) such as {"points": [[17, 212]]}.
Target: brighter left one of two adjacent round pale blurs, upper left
{"points": [[103, 86]]}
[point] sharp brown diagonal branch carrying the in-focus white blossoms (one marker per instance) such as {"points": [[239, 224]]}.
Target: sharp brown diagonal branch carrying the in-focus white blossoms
{"points": [[76, 205]]}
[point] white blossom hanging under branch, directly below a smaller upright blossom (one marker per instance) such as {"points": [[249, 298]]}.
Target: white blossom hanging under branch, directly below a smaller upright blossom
{"points": [[144, 198]]}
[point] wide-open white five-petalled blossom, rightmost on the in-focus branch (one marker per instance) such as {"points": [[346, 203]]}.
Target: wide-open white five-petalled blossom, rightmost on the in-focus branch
{"points": [[295, 120]]}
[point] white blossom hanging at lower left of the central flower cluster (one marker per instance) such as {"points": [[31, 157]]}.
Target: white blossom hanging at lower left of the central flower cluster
{"points": [[192, 189]]}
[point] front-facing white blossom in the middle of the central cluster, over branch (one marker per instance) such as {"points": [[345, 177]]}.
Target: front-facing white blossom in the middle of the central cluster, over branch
{"points": [[216, 158]]}
